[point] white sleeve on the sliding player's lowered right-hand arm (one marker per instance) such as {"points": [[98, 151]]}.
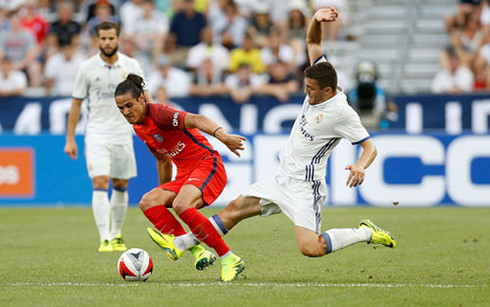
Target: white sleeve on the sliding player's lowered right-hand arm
{"points": [[349, 126]]}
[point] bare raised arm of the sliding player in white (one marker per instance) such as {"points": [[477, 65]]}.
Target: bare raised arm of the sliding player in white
{"points": [[314, 34]]}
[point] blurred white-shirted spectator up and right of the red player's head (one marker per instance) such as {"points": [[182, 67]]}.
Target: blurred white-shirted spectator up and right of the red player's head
{"points": [[206, 49]]}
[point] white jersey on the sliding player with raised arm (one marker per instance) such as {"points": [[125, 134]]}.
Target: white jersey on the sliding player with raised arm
{"points": [[316, 132]]}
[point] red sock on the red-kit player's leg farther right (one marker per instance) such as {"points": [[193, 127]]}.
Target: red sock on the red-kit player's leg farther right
{"points": [[204, 230]]}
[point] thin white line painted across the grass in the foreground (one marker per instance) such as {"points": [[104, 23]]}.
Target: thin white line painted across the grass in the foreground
{"points": [[238, 284]]}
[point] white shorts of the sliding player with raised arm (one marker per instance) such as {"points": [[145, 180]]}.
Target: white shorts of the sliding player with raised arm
{"points": [[300, 200]]}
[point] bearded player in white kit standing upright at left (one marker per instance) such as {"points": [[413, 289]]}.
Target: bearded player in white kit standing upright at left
{"points": [[108, 136]]}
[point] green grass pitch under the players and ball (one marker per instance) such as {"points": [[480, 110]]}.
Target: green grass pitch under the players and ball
{"points": [[48, 258]]}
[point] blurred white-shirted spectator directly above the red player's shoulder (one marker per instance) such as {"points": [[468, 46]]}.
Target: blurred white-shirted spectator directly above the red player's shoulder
{"points": [[176, 81]]}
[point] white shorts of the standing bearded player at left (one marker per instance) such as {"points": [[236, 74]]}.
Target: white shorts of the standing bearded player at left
{"points": [[115, 161]]}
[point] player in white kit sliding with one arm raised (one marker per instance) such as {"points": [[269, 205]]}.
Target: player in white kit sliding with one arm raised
{"points": [[299, 189]]}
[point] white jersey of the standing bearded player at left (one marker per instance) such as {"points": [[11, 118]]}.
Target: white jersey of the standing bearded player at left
{"points": [[98, 81]]}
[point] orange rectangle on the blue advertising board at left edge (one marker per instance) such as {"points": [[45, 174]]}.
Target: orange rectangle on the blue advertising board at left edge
{"points": [[16, 172]]}
